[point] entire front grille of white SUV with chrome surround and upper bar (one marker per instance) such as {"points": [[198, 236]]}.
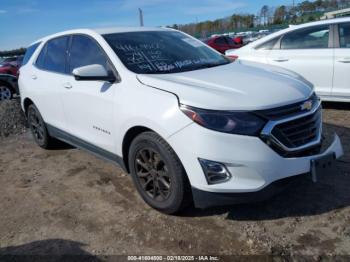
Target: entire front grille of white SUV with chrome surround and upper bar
{"points": [[294, 131]]}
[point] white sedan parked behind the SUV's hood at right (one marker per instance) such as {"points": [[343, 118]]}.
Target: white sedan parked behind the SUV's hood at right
{"points": [[319, 51]]}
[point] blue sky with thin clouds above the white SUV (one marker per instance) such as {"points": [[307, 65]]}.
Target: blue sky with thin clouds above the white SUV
{"points": [[24, 21]]}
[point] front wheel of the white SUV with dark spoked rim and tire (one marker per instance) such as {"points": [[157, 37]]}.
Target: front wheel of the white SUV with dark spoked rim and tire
{"points": [[158, 174]]}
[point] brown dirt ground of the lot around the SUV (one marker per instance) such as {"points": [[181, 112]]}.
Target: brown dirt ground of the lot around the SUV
{"points": [[69, 202]]}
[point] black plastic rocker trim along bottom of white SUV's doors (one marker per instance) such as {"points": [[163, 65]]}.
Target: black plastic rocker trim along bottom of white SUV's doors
{"points": [[79, 143]]}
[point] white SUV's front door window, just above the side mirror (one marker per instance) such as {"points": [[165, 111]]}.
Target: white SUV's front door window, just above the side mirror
{"points": [[85, 51]]}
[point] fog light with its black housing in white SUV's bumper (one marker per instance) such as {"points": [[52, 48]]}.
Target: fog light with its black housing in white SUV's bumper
{"points": [[215, 172]]}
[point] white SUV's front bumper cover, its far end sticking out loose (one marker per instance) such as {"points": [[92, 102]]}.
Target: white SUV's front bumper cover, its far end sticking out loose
{"points": [[253, 164]]}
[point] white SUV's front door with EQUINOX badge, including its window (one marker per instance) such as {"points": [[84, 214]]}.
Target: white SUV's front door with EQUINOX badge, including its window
{"points": [[88, 105]]}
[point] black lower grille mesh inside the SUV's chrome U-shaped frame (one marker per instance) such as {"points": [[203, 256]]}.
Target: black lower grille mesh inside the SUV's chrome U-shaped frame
{"points": [[299, 132]]}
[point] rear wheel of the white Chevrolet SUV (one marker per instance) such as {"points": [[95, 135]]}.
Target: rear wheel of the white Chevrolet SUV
{"points": [[39, 129]]}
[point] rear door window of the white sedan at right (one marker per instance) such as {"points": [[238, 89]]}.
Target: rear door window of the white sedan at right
{"points": [[308, 38]]}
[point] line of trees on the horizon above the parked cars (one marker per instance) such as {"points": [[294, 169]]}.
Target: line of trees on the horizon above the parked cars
{"points": [[267, 16]]}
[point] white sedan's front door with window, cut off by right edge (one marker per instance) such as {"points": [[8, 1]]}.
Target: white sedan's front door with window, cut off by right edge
{"points": [[341, 84]]}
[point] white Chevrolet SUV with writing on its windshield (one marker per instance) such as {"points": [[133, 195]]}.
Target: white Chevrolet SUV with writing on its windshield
{"points": [[183, 120]]}
